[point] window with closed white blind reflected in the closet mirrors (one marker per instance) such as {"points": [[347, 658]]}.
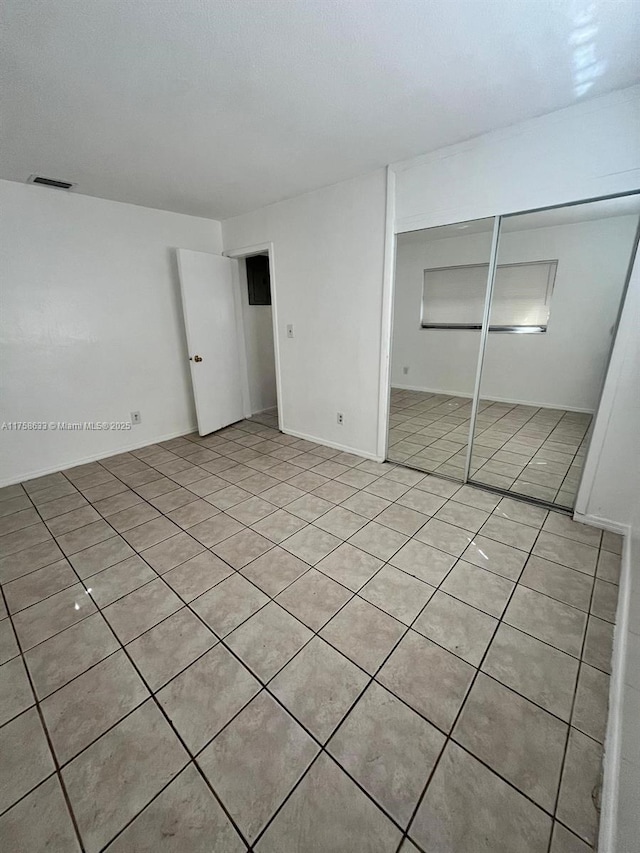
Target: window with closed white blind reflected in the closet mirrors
{"points": [[453, 297]]}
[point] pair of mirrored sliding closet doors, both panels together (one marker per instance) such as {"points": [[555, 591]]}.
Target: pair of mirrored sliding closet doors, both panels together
{"points": [[503, 329]]}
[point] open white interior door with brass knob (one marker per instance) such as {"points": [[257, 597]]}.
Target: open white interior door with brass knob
{"points": [[209, 306]]}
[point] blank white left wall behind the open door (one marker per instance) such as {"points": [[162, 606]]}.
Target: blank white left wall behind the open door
{"points": [[91, 326]]}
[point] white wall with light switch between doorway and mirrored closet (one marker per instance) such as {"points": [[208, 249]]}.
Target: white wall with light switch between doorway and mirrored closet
{"points": [[328, 249]]}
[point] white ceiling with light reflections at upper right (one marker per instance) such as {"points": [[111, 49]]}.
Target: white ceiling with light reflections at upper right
{"points": [[216, 107]]}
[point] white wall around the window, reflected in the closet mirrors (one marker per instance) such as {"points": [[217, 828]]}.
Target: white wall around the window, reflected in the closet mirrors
{"points": [[593, 259]]}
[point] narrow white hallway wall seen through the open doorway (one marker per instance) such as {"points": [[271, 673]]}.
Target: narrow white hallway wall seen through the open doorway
{"points": [[258, 336]]}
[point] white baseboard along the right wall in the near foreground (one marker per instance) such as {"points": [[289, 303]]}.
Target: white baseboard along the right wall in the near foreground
{"points": [[612, 746]]}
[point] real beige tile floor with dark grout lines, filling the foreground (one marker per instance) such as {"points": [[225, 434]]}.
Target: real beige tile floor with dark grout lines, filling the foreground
{"points": [[250, 640]]}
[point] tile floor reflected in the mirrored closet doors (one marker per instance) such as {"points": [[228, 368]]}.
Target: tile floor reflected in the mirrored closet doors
{"points": [[536, 452]]}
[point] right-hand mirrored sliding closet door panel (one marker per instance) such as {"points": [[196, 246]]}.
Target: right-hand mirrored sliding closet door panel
{"points": [[559, 282]]}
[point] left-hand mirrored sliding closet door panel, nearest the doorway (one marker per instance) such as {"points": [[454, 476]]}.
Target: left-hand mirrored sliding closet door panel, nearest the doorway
{"points": [[439, 295]]}
